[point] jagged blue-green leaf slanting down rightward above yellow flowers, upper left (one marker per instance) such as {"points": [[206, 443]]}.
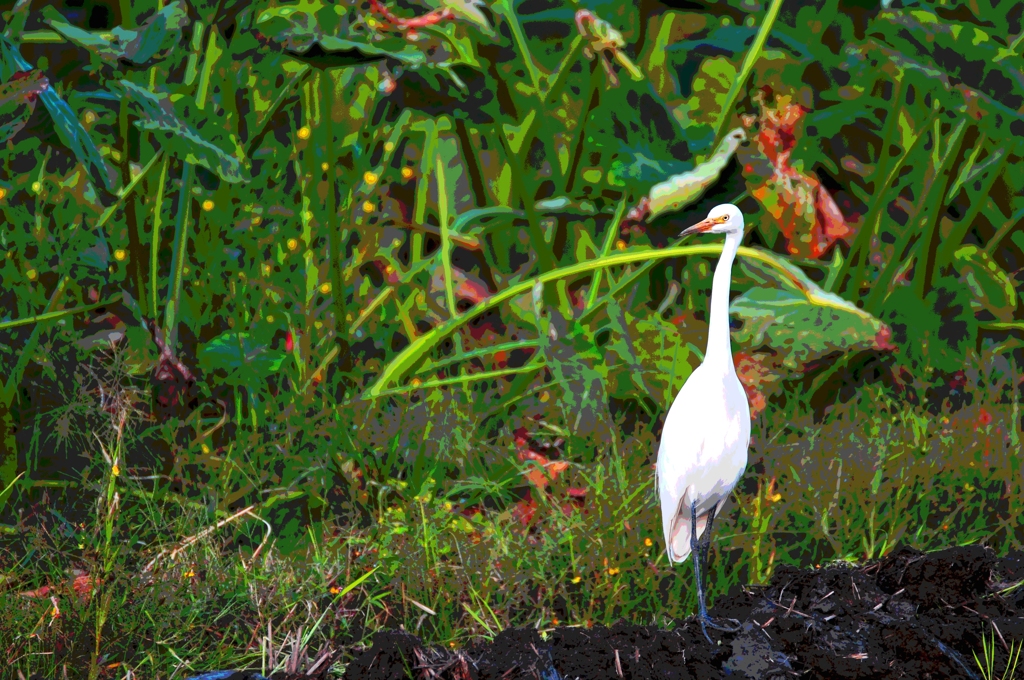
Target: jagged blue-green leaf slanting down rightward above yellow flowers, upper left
{"points": [[157, 113]]}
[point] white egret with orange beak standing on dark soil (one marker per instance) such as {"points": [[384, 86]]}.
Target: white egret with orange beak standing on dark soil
{"points": [[703, 453]]}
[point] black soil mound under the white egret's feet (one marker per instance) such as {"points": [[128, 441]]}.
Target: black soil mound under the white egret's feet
{"points": [[911, 615]]}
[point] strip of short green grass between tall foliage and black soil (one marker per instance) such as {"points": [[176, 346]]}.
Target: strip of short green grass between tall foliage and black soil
{"points": [[877, 472]]}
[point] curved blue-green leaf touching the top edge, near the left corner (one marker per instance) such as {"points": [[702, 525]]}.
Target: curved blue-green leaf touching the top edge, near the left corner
{"points": [[138, 47]]}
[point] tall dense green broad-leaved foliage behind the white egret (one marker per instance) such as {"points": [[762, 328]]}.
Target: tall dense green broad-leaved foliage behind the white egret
{"points": [[337, 256]]}
